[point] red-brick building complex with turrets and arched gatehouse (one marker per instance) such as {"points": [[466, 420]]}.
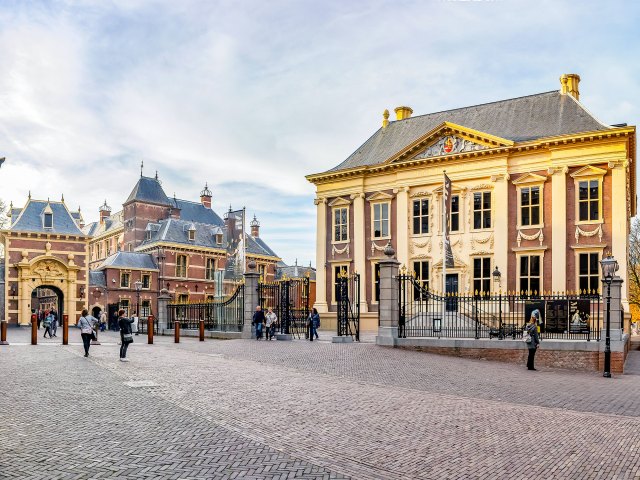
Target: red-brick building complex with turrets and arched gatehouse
{"points": [[164, 243]]}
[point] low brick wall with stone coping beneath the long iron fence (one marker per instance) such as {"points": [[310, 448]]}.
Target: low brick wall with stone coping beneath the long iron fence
{"points": [[573, 355]]}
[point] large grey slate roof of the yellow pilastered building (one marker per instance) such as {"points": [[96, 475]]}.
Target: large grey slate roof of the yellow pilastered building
{"points": [[518, 119]]}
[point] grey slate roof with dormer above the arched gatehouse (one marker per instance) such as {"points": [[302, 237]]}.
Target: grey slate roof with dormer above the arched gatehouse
{"points": [[31, 216]]}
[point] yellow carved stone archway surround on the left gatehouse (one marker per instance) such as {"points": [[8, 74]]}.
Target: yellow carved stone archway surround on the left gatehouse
{"points": [[47, 270]]}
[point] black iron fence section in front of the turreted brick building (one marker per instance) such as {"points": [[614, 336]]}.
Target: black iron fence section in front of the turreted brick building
{"points": [[225, 315]]}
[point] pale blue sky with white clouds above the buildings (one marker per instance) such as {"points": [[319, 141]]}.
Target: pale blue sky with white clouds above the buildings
{"points": [[251, 96]]}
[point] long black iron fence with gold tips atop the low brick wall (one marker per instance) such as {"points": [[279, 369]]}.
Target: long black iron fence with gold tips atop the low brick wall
{"points": [[423, 313]]}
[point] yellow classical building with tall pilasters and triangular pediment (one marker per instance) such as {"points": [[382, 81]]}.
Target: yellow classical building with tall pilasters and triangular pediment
{"points": [[541, 190]]}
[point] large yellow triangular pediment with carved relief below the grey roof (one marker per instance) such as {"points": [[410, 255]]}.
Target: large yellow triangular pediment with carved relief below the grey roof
{"points": [[450, 139]]}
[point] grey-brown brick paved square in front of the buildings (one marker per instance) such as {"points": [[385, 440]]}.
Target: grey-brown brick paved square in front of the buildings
{"points": [[306, 410]]}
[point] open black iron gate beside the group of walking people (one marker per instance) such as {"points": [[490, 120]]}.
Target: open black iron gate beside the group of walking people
{"points": [[289, 300]]}
